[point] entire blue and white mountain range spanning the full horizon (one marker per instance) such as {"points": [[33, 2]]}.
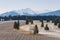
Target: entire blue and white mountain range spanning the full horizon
{"points": [[29, 12]]}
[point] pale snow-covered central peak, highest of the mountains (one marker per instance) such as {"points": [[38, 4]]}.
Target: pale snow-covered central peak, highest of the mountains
{"points": [[27, 12]]}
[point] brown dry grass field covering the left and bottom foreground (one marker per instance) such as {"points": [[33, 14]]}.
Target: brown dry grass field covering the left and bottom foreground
{"points": [[7, 33]]}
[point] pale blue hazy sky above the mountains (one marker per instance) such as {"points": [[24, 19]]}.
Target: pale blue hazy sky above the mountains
{"points": [[36, 5]]}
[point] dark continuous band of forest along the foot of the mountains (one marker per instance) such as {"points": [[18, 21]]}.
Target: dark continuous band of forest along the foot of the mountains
{"points": [[23, 17]]}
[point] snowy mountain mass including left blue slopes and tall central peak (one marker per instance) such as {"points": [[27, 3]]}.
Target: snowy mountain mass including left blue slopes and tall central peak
{"points": [[27, 12]]}
